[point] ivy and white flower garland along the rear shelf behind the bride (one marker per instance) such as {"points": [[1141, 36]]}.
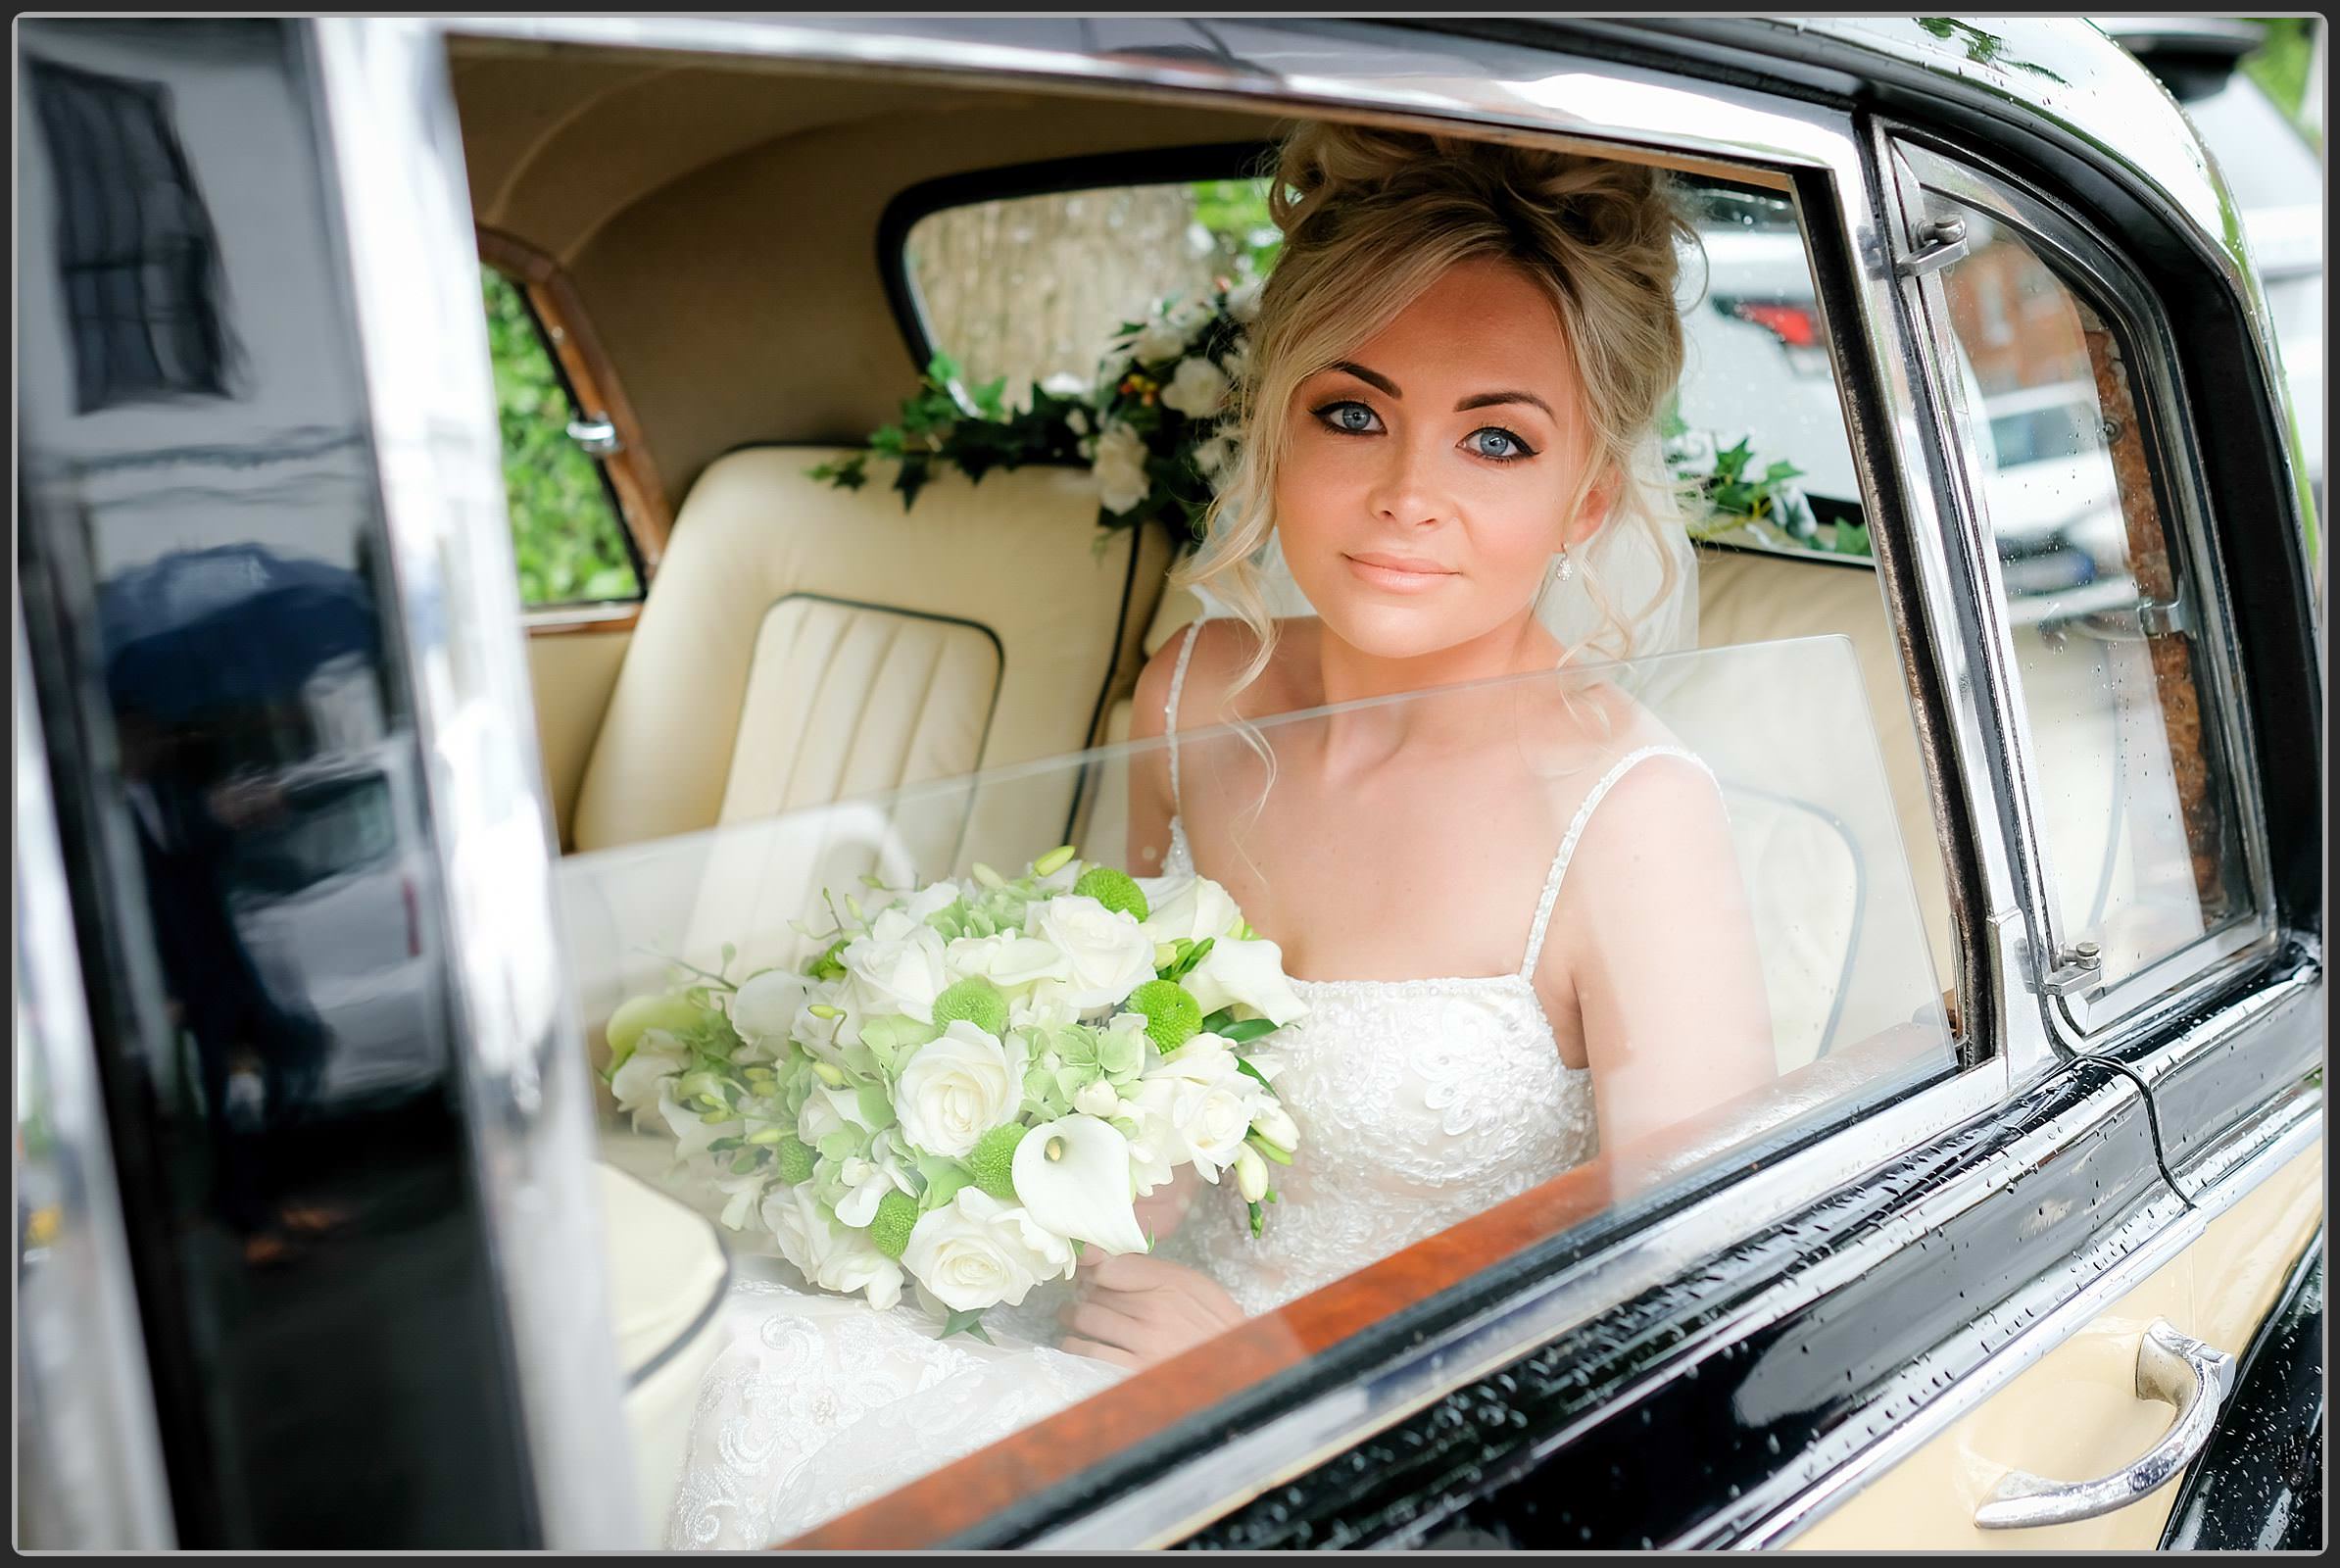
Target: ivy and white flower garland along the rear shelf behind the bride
{"points": [[1150, 429]]}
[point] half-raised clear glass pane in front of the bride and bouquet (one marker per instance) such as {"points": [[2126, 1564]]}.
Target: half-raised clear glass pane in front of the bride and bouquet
{"points": [[801, 1029]]}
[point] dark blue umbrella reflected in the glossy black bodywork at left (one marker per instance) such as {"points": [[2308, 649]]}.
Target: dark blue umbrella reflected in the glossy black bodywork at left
{"points": [[209, 631]]}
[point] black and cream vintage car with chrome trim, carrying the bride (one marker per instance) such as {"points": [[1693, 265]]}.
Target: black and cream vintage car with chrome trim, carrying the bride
{"points": [[333, 855]]}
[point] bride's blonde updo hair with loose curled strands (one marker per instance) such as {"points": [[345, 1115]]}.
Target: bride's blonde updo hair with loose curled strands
{"points": [[1372, 219]]}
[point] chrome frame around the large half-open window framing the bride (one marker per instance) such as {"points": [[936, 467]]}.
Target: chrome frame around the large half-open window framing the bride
{"points": [[1375, 74]]}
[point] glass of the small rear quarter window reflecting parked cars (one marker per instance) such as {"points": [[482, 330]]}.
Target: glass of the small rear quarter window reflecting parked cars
{"points": [[2131, 776]]}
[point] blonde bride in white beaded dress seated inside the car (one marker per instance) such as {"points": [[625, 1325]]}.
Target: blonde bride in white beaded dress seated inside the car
{"points": [[1513, 912]]}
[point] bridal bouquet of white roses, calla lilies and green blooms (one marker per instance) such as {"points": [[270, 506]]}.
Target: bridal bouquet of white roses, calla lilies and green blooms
{"points": [[975, 1078]]}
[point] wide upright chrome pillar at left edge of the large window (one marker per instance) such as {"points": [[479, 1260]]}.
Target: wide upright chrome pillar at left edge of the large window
{"points": [[404, 235]]}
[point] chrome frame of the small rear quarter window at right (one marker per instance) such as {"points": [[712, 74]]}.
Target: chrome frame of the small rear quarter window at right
{"points": [[2177, 982]]}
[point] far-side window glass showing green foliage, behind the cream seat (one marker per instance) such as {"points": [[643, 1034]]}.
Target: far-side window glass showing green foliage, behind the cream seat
{"points": [[567, 530]]}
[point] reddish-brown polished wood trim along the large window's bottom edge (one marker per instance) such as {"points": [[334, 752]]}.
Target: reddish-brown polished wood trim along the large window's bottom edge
{"points": [[944, 1504]]}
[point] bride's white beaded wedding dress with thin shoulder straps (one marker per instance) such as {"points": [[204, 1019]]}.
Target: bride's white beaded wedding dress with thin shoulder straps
{"points": [[1419, 1106]]}
